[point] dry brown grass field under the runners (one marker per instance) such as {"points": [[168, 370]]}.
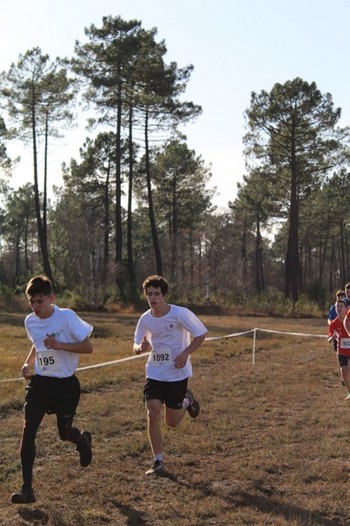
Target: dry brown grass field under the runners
{"points": [[270, 447]]}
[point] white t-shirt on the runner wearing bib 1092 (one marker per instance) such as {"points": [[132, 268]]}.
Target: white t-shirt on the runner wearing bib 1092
{"points": [[168, 335]]}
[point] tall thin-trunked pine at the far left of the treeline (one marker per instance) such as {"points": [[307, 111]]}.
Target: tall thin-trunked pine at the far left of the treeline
{"points": [[37, 94]]}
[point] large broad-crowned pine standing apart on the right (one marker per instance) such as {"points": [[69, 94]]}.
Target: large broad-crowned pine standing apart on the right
{"points": [[293, 137]]}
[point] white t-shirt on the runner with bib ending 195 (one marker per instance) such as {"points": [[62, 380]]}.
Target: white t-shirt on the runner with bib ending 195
{"points": [[64, 325]]}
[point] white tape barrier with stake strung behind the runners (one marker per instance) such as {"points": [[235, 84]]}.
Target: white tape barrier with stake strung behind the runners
{"points": [[212, 338]]}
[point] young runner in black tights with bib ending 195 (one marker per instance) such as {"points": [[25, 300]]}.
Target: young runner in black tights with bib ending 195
{"points": [[58, 337]]}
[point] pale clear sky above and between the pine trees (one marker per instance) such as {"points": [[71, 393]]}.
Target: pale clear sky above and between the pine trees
{"points": [[236, 47]]}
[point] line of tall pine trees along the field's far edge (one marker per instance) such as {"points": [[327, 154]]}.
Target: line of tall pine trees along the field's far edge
{"points": [[138, 202]]}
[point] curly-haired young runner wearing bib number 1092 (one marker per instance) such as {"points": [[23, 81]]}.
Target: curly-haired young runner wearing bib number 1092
{"points": [[166, 330]]}
